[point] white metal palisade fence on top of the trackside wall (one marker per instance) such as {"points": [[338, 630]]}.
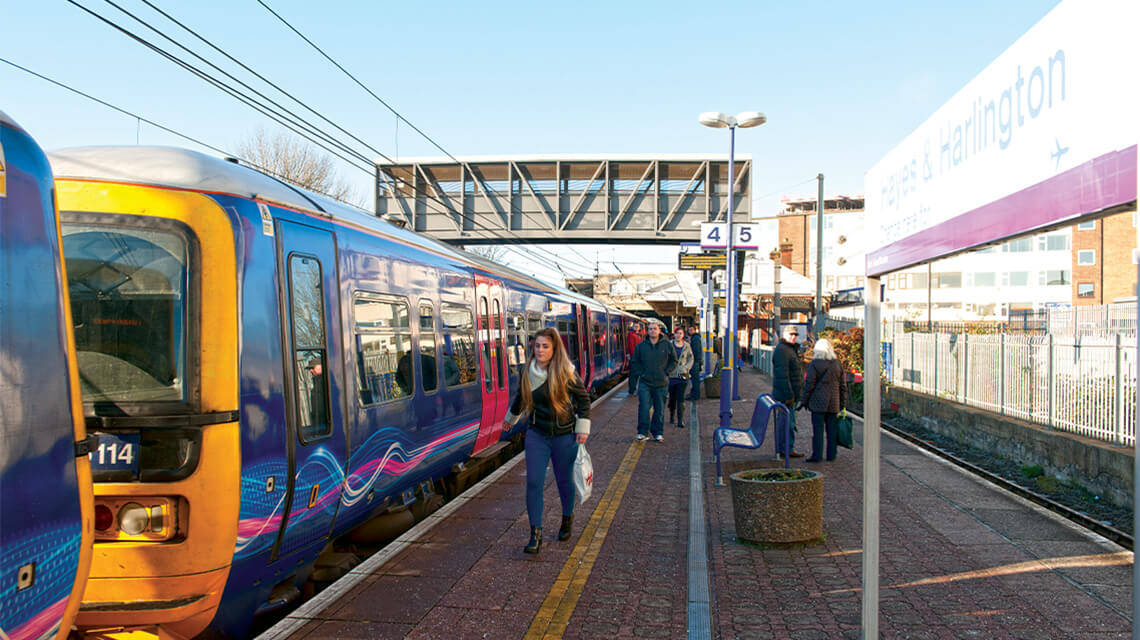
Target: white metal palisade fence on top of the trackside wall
{"points": [[1086, 385]]}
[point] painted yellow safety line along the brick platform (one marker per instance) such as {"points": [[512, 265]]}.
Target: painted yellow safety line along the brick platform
{"points": [[555, 614]]}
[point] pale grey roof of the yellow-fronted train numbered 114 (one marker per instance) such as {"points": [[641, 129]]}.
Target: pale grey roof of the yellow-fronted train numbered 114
{"points": [[178, 168]]}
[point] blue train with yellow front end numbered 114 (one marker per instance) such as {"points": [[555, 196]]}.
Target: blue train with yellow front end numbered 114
{"points": [[266, 371]]}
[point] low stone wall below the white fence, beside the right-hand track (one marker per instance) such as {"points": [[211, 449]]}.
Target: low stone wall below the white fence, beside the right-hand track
{"points": [[1101, 468]]}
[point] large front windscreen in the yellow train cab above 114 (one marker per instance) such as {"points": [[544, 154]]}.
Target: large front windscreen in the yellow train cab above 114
{"points": [[128, 290]]}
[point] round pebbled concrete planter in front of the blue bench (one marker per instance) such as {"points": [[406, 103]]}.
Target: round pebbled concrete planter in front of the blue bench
{"points": [[769, 509]]}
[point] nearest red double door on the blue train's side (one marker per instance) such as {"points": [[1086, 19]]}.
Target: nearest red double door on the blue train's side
{"points": [[492, 349]]}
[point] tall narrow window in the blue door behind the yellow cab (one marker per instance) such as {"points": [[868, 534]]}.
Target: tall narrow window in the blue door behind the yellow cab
{"points": [[307, 313]]}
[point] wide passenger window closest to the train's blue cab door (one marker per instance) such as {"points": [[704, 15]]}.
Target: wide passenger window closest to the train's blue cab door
{"points": [[384, 338]]}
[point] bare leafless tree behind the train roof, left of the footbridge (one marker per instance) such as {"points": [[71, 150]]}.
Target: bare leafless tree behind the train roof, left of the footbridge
{"points": [[297, 163]]}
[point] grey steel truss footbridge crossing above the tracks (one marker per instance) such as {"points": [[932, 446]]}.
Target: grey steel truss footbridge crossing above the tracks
{"points": [[626, 200]]}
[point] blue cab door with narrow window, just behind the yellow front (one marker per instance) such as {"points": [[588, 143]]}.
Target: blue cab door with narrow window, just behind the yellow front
{"points": [[314, 385]]}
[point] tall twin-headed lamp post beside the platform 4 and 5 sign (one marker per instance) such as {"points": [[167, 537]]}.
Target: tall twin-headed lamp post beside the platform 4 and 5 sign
{"points": [[719, 120]]}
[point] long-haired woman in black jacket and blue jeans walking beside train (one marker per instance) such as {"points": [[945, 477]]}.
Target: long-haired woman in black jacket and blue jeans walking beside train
{"points": [[555, 399]]}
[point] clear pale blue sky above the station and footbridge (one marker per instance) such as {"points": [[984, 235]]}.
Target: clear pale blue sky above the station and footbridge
{"points": [[842, 83]]}
